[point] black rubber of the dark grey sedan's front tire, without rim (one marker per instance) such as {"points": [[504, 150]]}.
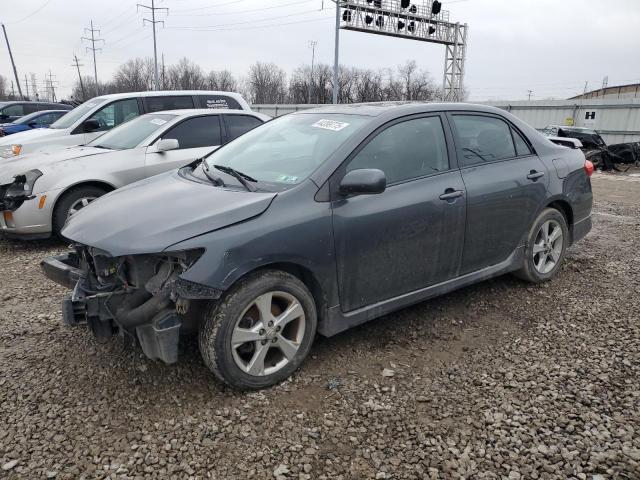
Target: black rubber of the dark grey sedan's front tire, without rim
{"points": [[222, 316]]}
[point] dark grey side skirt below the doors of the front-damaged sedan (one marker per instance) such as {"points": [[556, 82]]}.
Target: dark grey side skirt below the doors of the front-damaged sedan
{"points": [[337, 321]]}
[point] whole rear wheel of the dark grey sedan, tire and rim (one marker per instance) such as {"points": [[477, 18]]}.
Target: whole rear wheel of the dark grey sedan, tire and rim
{"points": [[545, 248]]}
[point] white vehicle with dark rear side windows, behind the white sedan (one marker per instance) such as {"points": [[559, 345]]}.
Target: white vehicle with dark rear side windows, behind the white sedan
{"points": [[94, 117]]}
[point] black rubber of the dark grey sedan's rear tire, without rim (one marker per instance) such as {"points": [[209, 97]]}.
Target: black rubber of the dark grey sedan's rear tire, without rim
{"points": [[529, 272]]}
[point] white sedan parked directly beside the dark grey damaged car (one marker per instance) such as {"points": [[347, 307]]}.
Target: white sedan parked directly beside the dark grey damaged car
{"points": [[38, 192]]}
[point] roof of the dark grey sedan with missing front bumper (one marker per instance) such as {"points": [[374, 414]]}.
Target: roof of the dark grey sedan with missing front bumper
{"points": [[399, 108]]}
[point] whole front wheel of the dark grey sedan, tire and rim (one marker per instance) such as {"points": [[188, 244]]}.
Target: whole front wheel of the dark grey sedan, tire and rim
{"points": [[260, 332]]}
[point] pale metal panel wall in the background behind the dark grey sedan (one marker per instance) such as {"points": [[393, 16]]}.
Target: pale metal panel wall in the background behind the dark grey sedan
{"points": [[617, 120]]}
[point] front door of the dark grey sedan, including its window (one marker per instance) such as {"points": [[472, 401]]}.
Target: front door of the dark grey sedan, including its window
{"points": [[411, 235]]}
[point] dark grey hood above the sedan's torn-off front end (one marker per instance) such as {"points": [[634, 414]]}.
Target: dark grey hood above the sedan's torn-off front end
{"points": [[151, 215]]}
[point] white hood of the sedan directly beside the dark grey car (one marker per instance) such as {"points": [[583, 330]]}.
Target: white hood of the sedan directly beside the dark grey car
{"points": [[11, 167]]}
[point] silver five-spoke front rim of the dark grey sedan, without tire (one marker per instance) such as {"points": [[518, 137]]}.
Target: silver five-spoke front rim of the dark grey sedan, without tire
{"points": [[268, 334]]}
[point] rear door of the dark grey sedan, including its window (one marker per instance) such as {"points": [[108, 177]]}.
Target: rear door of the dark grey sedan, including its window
{"points": [[506, 185]]}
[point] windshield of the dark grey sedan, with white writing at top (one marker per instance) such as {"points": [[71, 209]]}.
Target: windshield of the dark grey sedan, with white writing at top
{"points": [[287, 150]]}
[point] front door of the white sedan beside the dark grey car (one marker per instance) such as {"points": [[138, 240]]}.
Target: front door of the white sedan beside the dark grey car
{"points": [[196, 137]]}
